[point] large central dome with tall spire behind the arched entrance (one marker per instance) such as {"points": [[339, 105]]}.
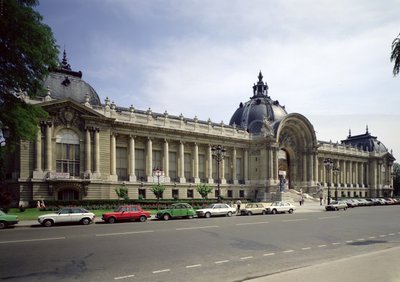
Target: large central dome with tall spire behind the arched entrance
{"points": [[252, 114]]}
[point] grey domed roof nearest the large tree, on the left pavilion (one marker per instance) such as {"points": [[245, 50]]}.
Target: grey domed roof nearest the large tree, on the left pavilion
{"points": [[64, 83]]}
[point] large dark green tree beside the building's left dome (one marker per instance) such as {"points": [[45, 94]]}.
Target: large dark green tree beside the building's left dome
{"points": [[27, 51]]}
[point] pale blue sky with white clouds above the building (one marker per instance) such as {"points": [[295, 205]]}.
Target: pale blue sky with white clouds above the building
{"points": [[327, 60]]}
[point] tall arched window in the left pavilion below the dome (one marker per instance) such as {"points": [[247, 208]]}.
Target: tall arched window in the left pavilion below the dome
{"points": [[67, 152]]}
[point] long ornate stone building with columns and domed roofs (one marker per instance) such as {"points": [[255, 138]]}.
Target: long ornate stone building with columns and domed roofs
{"points": [[86, 149]]}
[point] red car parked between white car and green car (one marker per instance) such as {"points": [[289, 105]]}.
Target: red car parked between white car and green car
{"points": [[126, 213]]}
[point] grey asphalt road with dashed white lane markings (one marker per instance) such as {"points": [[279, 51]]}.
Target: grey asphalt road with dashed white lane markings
{"points": [[216, 249]]}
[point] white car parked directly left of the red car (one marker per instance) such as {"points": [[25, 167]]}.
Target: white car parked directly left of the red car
{"points": [[67, 215]]}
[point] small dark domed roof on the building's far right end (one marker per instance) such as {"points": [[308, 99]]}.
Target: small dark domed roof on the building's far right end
{"points": [[366, 142]]}
